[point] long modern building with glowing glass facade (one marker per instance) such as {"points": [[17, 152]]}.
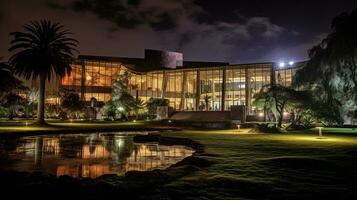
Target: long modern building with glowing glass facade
{"points": [[185, 83]]}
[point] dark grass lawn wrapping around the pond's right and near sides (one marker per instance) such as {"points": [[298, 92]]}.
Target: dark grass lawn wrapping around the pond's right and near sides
{"points": [[233, 165]]}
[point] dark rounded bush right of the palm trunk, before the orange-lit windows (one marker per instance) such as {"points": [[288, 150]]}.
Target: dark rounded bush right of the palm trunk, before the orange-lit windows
{"points": [[71, 103]]}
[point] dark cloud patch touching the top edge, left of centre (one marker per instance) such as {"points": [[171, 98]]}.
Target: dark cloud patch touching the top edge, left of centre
{"points": [[131, 13]]}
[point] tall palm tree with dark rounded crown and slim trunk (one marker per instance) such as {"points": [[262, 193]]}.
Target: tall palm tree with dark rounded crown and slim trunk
{"points": [[44, 49]]}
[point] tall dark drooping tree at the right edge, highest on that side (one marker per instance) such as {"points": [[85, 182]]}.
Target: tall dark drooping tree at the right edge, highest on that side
{"points": [[331, 72]]}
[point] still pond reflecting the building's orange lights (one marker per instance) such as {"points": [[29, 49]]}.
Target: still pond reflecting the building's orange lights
{"points": [[87, 155]]}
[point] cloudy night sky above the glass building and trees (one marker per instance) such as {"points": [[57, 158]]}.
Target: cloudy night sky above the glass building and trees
{"points": [[222, 30]]}
